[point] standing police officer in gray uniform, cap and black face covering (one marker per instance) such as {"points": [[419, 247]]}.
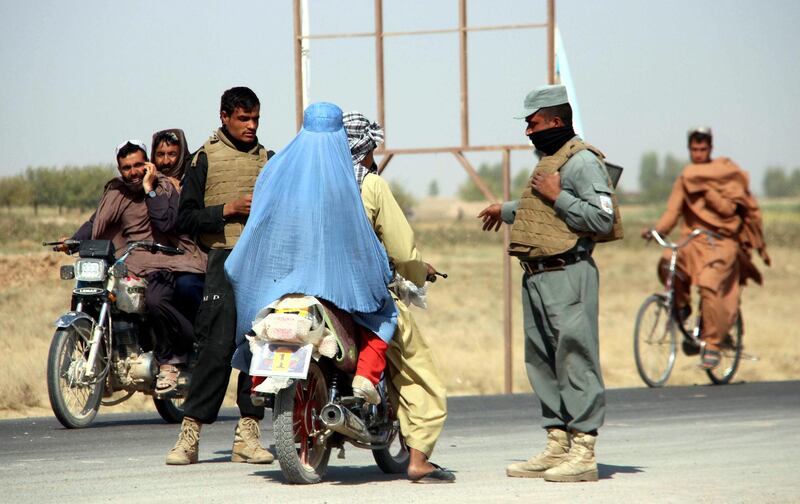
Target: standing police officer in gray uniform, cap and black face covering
{"points": [[568, 206]]}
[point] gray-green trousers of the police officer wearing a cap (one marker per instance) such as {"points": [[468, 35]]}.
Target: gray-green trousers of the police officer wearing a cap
{"points": [[561, 345]]}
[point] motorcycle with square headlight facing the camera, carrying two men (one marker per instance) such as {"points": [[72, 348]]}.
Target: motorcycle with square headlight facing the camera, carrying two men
{"points": [[101, 346]]}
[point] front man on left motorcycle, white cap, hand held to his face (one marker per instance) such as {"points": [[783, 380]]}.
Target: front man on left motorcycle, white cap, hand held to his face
{"points": [[142, 204]]}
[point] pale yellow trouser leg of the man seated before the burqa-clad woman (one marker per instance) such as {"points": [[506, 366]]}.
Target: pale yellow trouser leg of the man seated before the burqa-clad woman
{"points": [[416, 389]]}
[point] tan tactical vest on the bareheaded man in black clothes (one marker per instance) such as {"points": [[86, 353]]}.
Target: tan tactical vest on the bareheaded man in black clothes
{"points": [[231, 175]]}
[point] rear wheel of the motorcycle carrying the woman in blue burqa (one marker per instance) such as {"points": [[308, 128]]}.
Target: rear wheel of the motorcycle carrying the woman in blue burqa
{"points": [[303, 459]]}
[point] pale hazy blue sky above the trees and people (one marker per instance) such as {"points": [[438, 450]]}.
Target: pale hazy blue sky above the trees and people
{"points": [[80, 77]]}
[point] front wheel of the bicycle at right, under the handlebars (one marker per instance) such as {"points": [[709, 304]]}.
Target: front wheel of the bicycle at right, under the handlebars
{"points": [[654, 342]]}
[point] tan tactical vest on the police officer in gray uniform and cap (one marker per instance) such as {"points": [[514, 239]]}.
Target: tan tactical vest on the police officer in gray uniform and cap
{"points": [[537, 230]]}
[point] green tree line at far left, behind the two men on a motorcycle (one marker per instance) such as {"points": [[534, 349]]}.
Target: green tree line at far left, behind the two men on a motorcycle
{"points": [[78, 187]]}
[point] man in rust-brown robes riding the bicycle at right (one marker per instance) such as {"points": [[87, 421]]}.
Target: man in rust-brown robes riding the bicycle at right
{"points": [[712, 194]]}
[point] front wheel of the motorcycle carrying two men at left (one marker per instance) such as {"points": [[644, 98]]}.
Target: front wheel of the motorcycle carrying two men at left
{"points": [[74, 398]]}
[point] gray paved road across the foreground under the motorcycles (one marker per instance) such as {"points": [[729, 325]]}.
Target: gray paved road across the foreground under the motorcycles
{"points": [[737, 443]]}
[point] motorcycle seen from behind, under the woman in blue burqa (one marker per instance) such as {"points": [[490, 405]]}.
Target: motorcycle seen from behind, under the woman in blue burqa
{"points": [[306, 351]]}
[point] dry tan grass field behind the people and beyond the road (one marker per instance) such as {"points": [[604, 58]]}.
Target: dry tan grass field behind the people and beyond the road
{"points": [[464, 320]]}
